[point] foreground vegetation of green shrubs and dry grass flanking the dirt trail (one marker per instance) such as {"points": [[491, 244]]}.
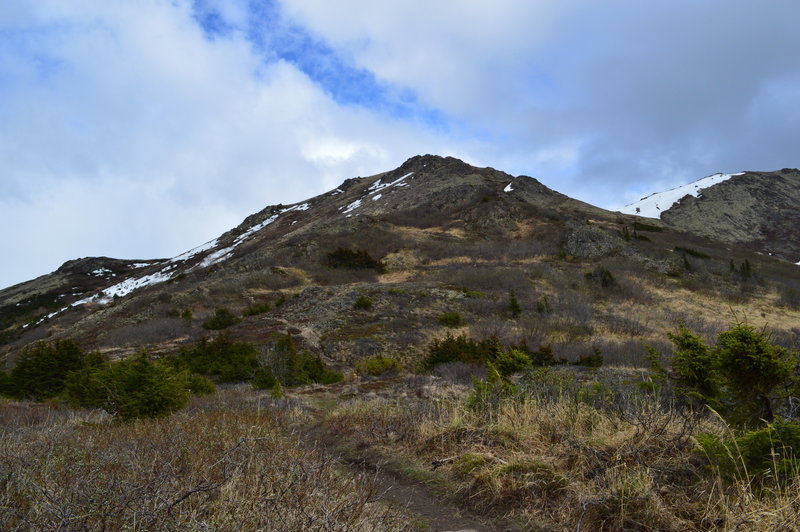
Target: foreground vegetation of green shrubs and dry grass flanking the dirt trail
{"points": [[707, 440]]}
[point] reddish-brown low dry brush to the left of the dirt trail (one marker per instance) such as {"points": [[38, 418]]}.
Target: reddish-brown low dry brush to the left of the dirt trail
{"points": [[226, 463]]}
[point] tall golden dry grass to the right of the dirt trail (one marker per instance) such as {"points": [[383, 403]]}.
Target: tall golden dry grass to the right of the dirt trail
{"points": [[555, 463]]}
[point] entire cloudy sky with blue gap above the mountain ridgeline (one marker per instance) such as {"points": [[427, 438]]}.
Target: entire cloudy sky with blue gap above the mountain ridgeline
{"points": [[142, 128]]}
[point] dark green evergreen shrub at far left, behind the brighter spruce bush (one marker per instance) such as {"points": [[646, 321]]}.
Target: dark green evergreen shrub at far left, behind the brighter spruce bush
{"points": [[42, 369]]}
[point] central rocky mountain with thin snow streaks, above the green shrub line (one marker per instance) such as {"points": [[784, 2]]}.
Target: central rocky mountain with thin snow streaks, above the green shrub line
{"points": [[432, 237]]}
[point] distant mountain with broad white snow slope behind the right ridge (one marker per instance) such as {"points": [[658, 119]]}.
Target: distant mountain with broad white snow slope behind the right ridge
{"points": [[759, 210]]}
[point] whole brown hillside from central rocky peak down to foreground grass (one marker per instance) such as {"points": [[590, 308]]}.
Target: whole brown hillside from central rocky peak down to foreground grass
{"points": [[437, 347]]}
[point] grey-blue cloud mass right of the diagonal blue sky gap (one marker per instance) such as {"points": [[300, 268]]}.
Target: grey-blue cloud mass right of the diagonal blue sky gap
{"points": [[592, 96]]}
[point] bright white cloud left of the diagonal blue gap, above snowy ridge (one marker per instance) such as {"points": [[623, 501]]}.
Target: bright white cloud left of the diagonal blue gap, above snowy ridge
{"points": [[127, 131]]}
